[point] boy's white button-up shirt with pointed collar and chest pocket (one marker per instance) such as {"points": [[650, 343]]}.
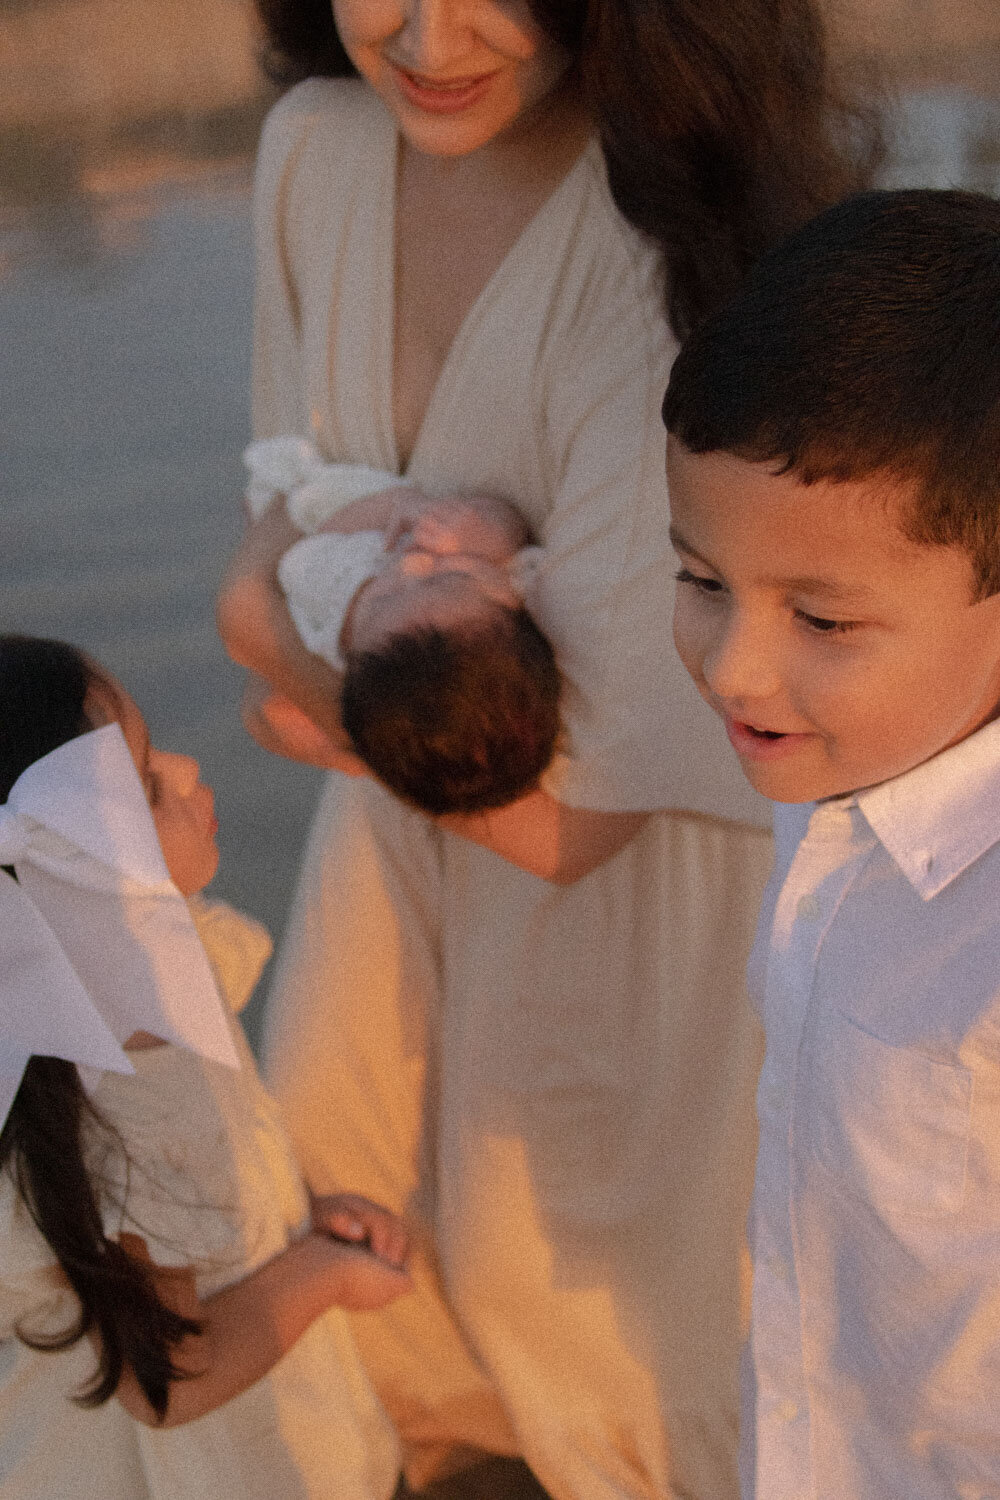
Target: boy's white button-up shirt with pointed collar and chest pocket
{"points": [[875, 1357]]}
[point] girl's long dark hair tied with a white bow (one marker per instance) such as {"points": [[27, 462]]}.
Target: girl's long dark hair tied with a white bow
{"points": [[43, 694]]}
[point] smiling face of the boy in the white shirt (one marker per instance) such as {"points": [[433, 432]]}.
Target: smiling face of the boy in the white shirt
{"points": [[837, 652]]}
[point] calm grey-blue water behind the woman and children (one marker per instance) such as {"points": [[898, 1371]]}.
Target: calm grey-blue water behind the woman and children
{"points": [[125, 323]]}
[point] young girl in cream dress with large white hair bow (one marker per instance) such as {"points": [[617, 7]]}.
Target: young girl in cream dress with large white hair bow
{"points": [[157, 1211]]}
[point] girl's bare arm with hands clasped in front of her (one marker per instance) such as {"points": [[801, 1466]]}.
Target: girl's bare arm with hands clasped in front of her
{"points": [[248, 1327]]}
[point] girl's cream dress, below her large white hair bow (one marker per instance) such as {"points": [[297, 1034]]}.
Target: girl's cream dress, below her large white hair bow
{"points": [[211, 1181]]}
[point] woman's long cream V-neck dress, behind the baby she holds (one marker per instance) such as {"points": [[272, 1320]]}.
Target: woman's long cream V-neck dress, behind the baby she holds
{"points": [[557, 1084]]}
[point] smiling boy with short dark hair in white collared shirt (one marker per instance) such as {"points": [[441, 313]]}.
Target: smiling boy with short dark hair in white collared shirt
{"points": [[834, 464]]}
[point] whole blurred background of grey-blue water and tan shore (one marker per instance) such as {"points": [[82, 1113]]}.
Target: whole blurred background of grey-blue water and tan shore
{"points": [[127, 143]]}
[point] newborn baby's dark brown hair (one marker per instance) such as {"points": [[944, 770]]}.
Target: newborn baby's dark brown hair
{"points": [[460, 721]]}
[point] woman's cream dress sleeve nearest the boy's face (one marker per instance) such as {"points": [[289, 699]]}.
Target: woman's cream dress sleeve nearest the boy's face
{"points": [[636, 733]]}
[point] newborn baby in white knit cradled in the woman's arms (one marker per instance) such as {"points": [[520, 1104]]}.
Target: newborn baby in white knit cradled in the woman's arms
{"points": [[451, 692]]}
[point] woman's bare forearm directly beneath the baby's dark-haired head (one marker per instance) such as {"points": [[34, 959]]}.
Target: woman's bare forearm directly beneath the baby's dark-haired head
{"points": [[546, 838]]}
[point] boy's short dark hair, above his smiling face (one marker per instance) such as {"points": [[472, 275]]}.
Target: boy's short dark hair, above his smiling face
{"points": [[867, 344]]}
